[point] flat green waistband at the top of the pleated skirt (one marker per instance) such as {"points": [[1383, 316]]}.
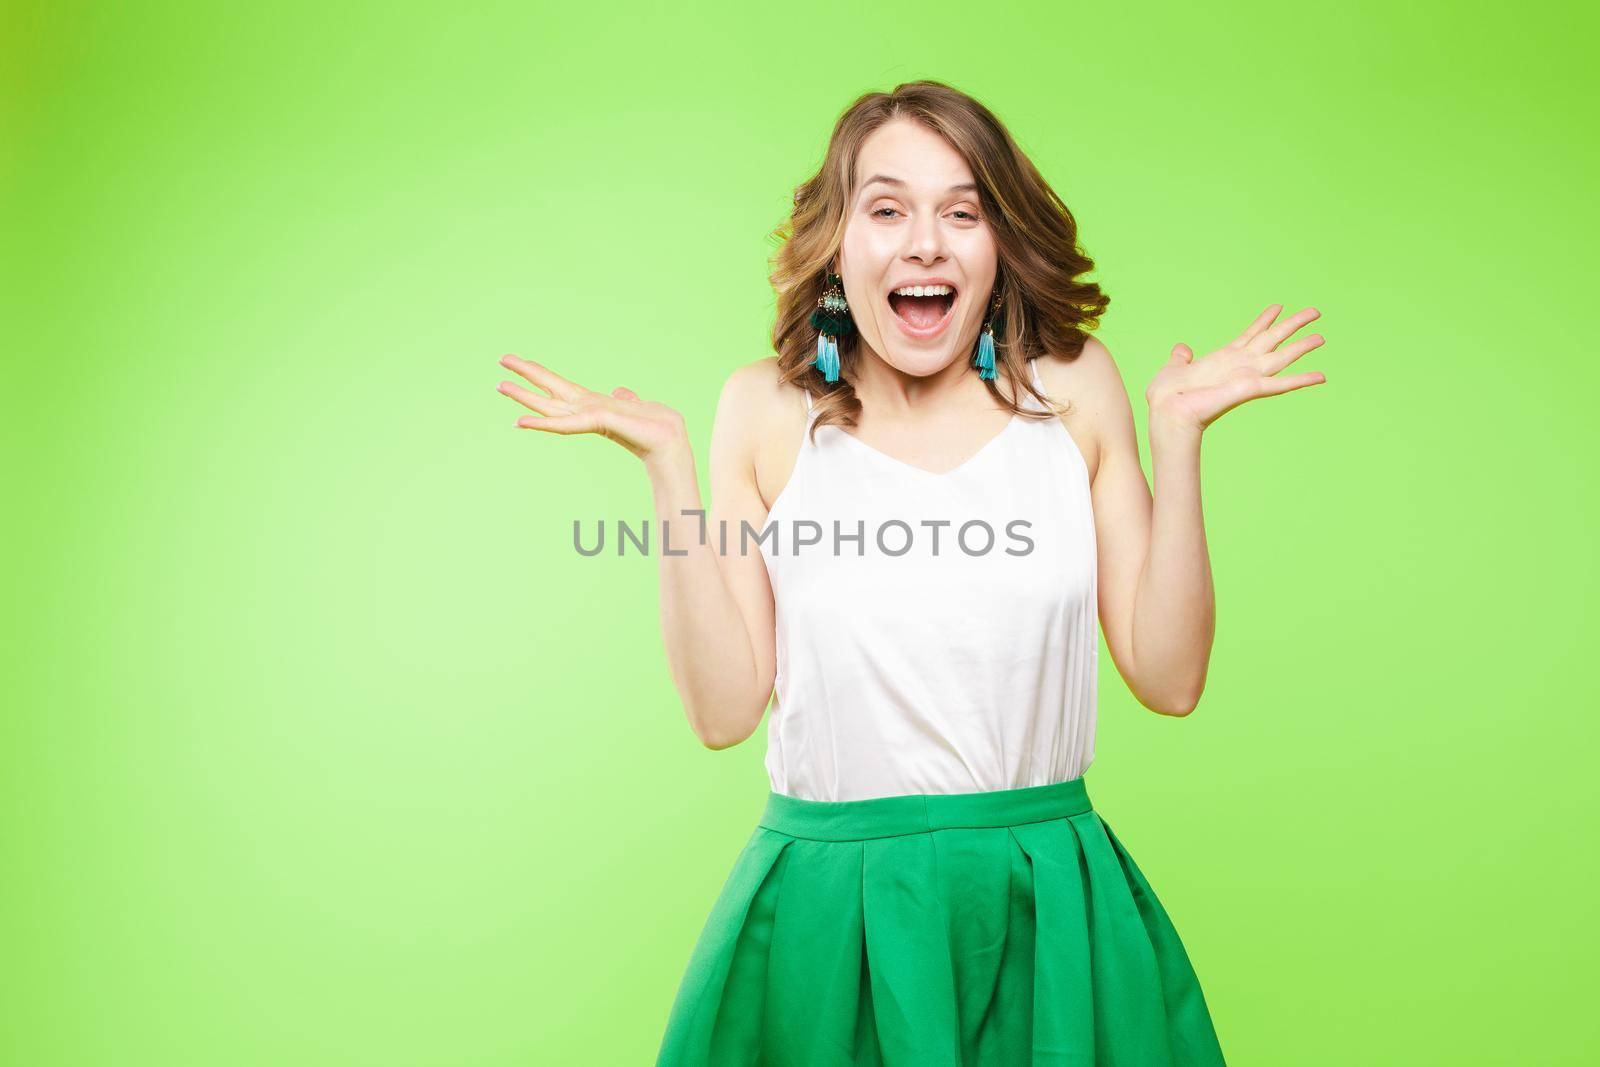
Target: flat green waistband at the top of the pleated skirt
{"points": [[918, 813]]}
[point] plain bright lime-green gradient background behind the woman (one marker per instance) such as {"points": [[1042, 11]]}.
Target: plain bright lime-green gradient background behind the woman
{"points": [[321, 743]]}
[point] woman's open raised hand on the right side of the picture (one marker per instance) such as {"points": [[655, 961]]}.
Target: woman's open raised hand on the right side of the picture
{"points": [[1191, 393]]}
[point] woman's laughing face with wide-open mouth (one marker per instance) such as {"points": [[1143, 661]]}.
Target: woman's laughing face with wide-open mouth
{"points": [[921, 226]]}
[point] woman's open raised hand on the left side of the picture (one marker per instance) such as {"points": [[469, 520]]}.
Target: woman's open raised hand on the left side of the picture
{"points": [[646, 428]]}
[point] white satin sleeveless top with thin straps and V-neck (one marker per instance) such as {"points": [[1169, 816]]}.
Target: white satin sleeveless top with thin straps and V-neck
{"points": [[929, 655]]}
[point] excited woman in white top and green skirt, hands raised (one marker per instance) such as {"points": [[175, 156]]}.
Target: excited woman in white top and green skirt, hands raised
{"points": [[929, 884]]}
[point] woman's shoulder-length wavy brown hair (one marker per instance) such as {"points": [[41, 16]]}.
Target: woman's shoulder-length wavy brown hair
{"points": [[1046, 306]]}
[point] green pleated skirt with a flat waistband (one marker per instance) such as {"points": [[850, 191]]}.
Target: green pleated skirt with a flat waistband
{"points": [[1001, 929]]}
